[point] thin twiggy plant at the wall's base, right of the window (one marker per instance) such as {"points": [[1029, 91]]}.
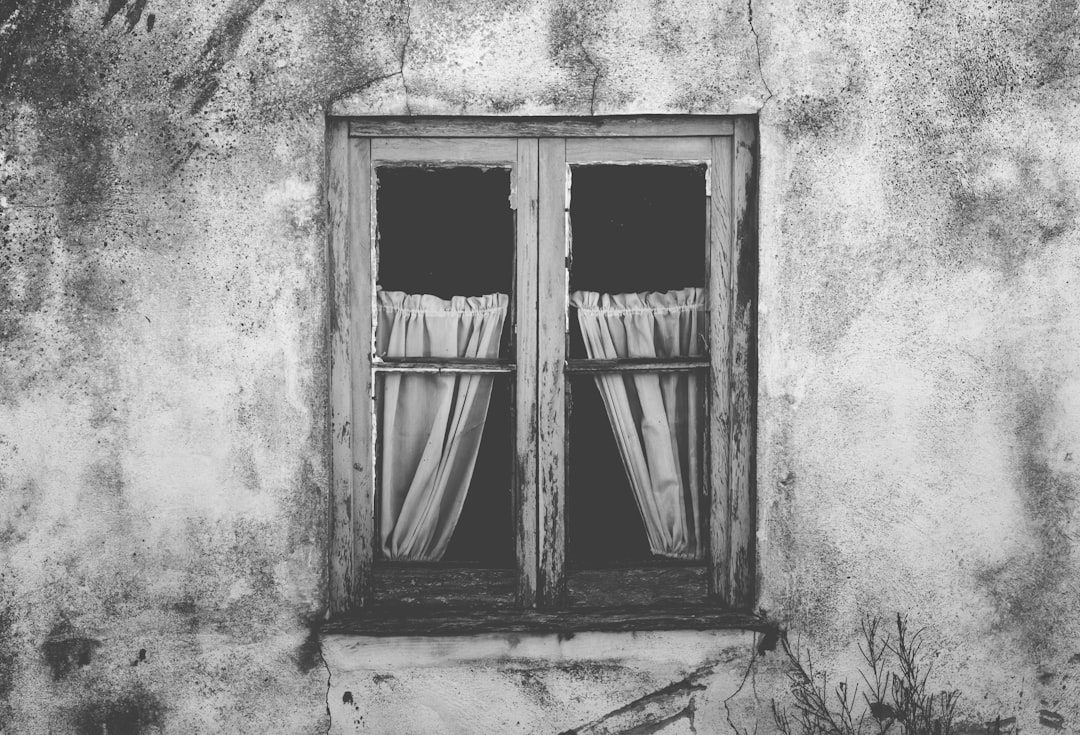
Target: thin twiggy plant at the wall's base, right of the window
{"points": [[894, 698]]}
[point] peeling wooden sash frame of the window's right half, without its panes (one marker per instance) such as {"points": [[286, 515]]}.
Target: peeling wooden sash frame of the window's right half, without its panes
{"points": [[561, 587]]}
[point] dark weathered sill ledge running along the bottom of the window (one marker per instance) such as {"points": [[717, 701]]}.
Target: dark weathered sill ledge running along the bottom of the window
{"points": [[388, 621]]}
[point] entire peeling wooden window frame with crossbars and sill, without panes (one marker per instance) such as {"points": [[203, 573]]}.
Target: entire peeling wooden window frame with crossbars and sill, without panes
{"points": [[539, 153]]}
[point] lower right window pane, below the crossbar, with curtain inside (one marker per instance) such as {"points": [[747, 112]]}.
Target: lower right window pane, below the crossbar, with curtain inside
{"points": [[636, 467]]}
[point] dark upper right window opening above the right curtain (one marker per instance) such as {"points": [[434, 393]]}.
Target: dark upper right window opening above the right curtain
{"points": [[636, 229]]}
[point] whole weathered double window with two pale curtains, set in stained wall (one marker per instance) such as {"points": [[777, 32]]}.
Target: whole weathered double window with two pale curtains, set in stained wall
{"points": [[543, 364]]}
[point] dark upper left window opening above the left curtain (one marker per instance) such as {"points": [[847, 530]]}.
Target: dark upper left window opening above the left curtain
{"points": [[447, 233]]}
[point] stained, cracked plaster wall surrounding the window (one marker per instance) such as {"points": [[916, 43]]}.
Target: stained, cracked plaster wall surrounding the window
{"points": [[164, 466]]}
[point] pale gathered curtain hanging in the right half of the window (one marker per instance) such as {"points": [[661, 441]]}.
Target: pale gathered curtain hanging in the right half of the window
{"points": [[656, 418]]}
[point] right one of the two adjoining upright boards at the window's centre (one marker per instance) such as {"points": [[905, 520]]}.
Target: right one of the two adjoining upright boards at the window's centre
{"points": [[551, 390]]}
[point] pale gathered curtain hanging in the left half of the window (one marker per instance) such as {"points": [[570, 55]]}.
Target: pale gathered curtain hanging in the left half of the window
{"points": [[433, 425]]}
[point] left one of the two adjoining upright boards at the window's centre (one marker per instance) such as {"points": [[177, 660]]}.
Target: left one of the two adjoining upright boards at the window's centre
{"points": [[526, 502]]}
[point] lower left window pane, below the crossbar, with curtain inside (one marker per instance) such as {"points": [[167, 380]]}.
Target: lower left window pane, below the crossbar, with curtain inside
{"points": [[443, 474]]}
